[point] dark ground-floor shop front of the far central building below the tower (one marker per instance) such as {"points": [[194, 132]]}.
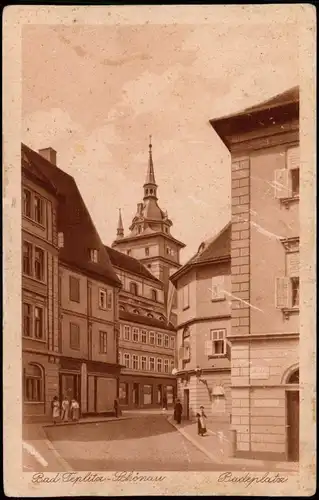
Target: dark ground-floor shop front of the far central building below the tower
{"points": [[146, 392]]}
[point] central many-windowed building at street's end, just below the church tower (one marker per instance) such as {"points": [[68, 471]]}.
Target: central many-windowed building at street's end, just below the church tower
{"points": [[147, 340]]}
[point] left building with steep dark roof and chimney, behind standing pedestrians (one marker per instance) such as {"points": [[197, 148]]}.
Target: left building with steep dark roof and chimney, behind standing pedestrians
{"points": [[88, 290]]}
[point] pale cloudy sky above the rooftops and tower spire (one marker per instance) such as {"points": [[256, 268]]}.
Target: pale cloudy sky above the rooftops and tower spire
{"points": [[95, 93]]}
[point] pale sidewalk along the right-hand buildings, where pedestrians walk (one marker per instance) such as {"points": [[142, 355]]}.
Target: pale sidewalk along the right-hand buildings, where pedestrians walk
{"points": [[217, 446]]}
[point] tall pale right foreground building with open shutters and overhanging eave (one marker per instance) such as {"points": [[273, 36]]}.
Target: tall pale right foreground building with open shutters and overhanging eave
{"points": [[264, 145]]}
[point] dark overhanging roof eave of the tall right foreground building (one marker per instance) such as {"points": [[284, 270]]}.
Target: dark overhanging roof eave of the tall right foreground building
{"points": [[279, 110]]}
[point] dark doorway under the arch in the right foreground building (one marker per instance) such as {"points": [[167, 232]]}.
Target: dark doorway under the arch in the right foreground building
{"points": [[292, 398]]}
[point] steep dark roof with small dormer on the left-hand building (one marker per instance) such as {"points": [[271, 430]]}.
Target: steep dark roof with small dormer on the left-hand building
{"points": [[74, 220]]}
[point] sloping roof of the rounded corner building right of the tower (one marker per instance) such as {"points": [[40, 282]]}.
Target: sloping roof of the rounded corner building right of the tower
{"points": [[211, 251]]}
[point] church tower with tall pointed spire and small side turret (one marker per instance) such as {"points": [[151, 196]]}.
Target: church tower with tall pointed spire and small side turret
{"points": [[150, 239]]}
